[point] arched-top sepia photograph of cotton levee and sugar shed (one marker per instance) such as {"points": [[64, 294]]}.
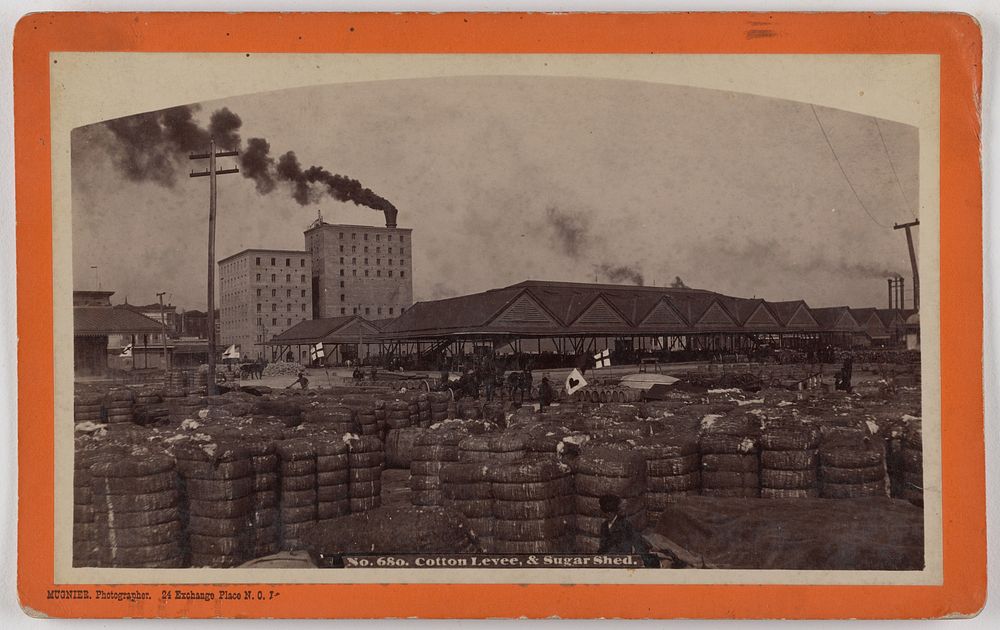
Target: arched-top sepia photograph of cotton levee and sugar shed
{"points": [[499, 320]]}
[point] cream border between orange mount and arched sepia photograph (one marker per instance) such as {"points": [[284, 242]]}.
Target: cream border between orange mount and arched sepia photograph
{"points": [[88, 87]]}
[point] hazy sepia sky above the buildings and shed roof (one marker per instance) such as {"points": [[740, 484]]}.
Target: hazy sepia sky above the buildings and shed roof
{"points": [[510, 178]]}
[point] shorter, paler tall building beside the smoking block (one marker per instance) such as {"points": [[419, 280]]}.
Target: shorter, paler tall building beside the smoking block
{"points": [[262, 292]]}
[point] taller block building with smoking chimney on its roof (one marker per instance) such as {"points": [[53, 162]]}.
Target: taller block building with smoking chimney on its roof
{"points": [[360, 270]]}
